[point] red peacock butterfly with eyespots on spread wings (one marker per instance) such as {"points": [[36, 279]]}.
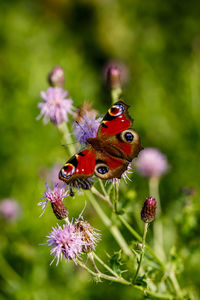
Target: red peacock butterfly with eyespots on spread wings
{"points": [[108, 154]]}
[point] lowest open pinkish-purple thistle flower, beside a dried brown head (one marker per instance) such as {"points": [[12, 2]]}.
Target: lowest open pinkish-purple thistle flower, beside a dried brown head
{"points": [[65, 242]]}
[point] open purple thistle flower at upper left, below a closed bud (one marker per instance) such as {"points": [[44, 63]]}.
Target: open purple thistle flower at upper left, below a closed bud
{"points": [[56, 106]]}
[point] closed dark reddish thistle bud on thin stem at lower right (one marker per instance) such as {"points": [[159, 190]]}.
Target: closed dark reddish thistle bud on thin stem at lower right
{"points": [[148, 211]]}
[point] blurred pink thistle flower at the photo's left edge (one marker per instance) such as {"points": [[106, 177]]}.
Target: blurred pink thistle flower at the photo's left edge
{"points": [[9, 209]]}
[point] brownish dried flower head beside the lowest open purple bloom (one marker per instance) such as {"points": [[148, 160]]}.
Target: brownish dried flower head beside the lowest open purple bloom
{"points": [[89, 235]]}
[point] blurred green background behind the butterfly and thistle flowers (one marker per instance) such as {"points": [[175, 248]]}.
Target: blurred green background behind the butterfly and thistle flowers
{"points": [[158, 43]]}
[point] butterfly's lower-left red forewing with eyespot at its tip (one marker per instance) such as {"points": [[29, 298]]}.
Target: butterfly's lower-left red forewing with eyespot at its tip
{"points": [[78, 170]]}
